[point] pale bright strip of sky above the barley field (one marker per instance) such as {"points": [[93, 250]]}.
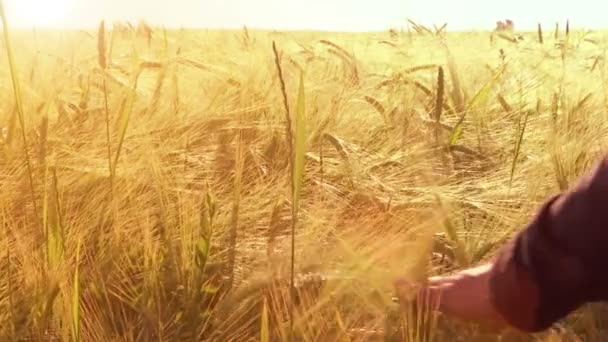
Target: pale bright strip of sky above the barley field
{"points": [[332, 15]]}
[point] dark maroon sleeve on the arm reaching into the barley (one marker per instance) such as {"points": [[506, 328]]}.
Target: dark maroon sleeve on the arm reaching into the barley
{"points": [[560, 260]]}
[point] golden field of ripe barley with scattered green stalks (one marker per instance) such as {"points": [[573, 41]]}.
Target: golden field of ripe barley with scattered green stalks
{"points": [[172, 185]]}
